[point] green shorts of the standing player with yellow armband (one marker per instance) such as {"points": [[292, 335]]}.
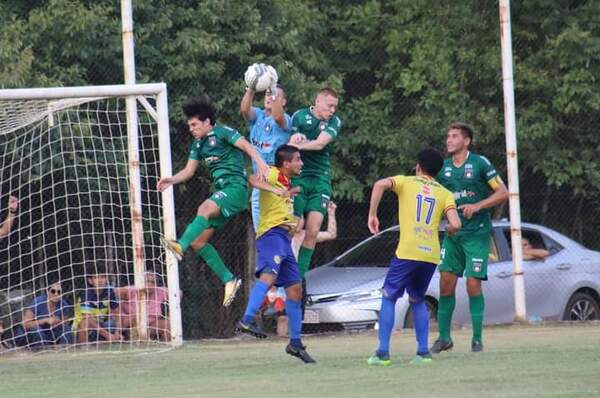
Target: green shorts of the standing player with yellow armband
{"points": [[466, 254]]}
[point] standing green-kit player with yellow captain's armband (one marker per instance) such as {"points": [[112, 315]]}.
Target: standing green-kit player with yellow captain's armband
{"points": [[477, 188]]}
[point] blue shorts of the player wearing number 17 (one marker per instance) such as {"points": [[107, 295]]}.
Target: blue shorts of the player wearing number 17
{"points": [[412, 276]]}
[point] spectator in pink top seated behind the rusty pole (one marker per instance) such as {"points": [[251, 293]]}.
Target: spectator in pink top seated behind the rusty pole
{"points": [[155, 297]]}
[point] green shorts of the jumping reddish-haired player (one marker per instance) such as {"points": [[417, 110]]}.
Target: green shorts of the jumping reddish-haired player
{"points": [[315, 195]]}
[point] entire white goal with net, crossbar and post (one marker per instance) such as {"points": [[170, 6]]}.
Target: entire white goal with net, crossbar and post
{"points": [[81, 219]]}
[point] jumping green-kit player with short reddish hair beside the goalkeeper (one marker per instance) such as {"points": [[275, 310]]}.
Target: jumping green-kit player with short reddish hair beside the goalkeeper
{"points": [[313, 130]]}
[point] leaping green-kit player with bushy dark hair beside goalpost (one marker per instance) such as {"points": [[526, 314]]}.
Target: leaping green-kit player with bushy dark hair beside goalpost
{"points": [[222, 149]]}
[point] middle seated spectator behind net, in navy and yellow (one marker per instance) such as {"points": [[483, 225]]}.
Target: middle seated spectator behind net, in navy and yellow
{"points": [[99, 315]]}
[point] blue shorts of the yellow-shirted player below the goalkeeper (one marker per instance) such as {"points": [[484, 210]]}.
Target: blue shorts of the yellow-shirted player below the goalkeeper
{"points": [[275, 255]]}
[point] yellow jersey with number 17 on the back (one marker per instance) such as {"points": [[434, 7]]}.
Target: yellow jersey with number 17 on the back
{"points": [[422, 202]]}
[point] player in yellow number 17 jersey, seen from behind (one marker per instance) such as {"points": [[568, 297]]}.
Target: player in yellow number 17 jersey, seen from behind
{"points": [[422, 202]]}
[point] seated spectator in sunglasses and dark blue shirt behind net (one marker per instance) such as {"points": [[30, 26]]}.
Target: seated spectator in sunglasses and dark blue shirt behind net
{"points": [[47, 321]]}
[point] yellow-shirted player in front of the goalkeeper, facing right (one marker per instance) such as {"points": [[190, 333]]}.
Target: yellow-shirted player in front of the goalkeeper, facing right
{"points": [[276, 264]]}
